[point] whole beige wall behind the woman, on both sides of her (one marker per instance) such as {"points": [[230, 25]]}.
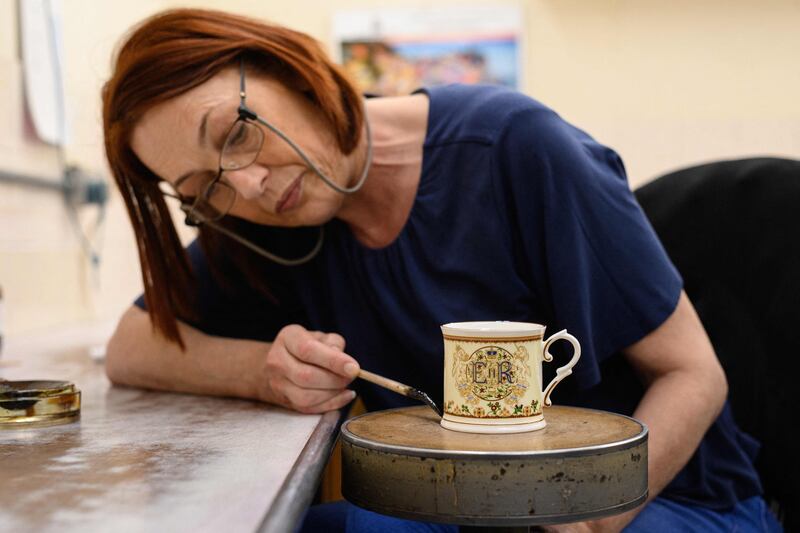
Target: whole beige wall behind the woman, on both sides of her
{"points": [[667, 84]]}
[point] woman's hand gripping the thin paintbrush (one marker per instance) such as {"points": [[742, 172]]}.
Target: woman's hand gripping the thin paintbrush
{"points": [[307, 371]]}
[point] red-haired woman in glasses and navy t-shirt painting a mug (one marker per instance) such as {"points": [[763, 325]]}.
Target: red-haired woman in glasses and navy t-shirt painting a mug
{"points": [[327, 223]]}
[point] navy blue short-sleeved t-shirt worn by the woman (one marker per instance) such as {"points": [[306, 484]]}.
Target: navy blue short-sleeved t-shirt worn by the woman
{"points": [[518, 216]]}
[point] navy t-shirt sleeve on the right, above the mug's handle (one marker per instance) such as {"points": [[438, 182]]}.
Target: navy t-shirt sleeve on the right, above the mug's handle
{"points": [[594, 259]]}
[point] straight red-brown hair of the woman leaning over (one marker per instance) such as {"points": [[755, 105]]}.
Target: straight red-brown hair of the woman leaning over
{"points": [[167, 55]]}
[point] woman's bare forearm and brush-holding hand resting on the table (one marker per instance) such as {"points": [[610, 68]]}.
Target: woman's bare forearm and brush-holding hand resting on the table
{"points": [[302, 370]]}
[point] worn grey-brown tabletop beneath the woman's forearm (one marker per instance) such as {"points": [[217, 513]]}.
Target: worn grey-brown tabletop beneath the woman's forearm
{"points": [[147, 461]]}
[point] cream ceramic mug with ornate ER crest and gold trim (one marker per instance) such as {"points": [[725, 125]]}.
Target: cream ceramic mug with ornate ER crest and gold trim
{"points": [[493, 375]]}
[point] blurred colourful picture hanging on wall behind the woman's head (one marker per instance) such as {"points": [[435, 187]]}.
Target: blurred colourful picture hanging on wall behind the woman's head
{"points": [[394, 51]]}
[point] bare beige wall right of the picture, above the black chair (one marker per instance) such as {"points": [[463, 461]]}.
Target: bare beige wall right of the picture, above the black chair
{"points": [[672, 83]]}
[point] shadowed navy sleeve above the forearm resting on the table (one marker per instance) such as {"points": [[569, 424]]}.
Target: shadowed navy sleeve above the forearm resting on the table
{"points": [[235, 311]]}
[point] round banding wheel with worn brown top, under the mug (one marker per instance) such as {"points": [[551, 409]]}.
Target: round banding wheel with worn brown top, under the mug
{"points": [[584, 464]]}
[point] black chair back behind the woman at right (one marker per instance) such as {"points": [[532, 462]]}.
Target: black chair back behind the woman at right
{"points": [[732, 228]]}
